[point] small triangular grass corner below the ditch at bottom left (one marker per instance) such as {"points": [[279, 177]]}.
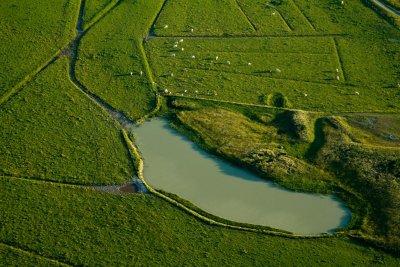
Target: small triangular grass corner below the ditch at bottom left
{"points": [[10, 256]]}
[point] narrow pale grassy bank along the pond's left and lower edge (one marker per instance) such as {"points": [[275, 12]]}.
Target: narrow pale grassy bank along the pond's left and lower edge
{"points": [[140, 167]]}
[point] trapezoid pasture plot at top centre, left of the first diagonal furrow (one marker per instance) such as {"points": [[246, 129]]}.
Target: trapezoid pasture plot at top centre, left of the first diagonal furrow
{"points": [[207, 17]]}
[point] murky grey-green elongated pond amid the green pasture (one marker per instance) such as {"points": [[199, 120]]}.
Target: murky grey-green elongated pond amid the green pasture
{"points": [[175, 164]]}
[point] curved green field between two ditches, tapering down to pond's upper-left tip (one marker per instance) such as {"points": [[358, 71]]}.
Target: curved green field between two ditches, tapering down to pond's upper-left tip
{"points": [[110, 63]]}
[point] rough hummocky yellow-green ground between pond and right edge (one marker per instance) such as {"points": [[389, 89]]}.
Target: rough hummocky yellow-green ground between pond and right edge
{"points": [[337, 157]]}
